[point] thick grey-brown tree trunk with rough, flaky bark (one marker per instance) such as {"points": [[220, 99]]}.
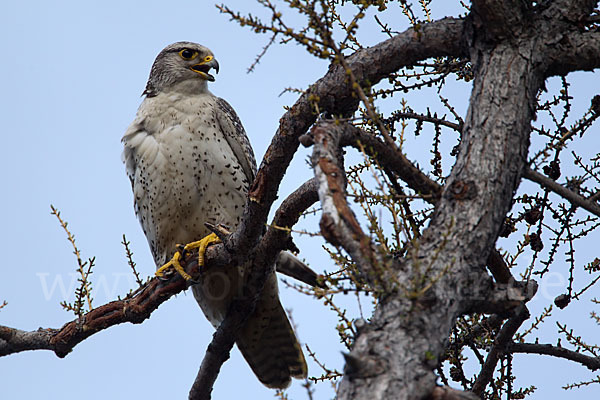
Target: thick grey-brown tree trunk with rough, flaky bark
{"points": [[407, 335]]}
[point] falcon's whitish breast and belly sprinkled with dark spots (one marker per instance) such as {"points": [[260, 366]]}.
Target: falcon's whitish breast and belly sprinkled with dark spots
{"points": [[185, 173]]}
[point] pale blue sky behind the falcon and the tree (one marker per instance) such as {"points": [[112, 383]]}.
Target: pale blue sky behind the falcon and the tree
{"points": [[71, 76]]}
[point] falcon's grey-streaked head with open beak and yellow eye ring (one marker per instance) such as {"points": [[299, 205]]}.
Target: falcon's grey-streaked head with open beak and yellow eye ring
{"points": [[180, 62]]}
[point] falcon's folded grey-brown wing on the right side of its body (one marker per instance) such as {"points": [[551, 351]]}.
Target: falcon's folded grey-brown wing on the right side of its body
{"points": [[234, 133]]}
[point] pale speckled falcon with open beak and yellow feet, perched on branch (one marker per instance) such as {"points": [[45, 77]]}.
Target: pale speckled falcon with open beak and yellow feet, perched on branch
{"points": [[190, 162]]}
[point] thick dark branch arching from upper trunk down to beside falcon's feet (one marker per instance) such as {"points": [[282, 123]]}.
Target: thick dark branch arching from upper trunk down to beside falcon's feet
{"points": [[335, 95]]}
